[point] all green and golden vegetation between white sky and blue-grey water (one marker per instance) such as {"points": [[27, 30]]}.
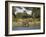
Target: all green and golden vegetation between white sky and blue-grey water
{"points": [[27, 20]]}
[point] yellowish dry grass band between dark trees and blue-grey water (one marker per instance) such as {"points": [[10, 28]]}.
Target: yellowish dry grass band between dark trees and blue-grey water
{"points": [[34, 22]]}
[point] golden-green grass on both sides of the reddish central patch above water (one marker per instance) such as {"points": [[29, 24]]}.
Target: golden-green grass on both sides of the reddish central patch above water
{"points": [[34, 22]]}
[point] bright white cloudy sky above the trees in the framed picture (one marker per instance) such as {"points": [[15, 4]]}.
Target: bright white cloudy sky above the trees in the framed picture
{"points": [[22, 9]]}
